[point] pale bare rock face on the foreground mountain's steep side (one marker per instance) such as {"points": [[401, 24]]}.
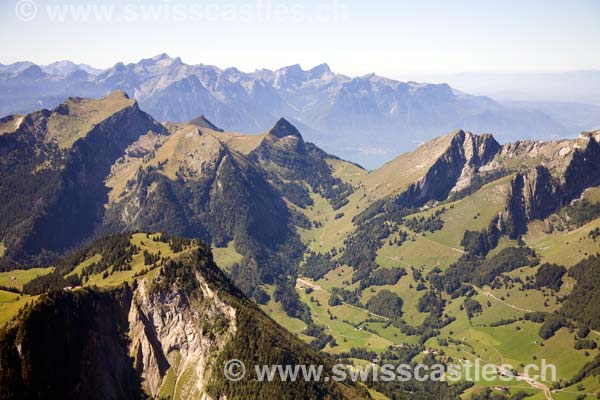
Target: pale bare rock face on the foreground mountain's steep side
{"points": [[172, 338]]}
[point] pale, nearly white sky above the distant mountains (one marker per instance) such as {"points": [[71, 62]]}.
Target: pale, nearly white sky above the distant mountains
{"points": [[392, 38]]}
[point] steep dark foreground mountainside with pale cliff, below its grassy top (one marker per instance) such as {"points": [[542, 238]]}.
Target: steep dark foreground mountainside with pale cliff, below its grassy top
{"points": [[167, 334]]}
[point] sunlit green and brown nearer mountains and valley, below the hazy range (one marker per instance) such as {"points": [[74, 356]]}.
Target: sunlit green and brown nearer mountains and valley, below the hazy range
{"points": [[463, 247]]}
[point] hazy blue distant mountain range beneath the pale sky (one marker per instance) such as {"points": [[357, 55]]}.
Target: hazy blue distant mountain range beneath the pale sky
{"points": [[367, 119]]}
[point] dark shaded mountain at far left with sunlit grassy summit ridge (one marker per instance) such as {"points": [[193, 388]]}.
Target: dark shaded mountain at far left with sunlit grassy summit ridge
{"points": [[53, 195]]}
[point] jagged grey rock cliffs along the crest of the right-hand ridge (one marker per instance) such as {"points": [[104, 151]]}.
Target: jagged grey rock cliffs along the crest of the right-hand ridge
{"points": [[546, 175]]}
